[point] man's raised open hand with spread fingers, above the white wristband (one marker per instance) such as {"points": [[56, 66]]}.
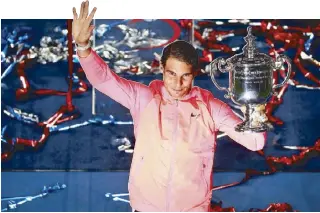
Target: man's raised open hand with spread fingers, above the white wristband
{"points": [[81, 25]]}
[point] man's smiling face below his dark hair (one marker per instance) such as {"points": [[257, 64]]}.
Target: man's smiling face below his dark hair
{"points": [[177, 77]]}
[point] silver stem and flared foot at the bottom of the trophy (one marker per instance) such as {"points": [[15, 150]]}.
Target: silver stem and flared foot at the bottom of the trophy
{"points": [[251, 125]]}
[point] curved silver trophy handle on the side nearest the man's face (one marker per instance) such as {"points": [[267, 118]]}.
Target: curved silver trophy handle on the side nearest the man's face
{"points": [[217, 65]]}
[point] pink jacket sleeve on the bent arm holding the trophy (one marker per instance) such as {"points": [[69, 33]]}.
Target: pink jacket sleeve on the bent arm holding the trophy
{"points": [[225, 121]]}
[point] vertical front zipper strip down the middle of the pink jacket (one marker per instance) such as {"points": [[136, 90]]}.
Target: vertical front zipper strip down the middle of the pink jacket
{"points": [[174, 137]]}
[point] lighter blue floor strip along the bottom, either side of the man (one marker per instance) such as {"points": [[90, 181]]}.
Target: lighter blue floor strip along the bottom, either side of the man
{"points": [[86, 191]]}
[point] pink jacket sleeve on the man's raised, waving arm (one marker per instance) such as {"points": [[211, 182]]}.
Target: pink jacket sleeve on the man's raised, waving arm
{"points": [[102, 78]]}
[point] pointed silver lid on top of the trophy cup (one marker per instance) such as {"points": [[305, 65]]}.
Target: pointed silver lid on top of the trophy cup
{"points": [[250, 54]]}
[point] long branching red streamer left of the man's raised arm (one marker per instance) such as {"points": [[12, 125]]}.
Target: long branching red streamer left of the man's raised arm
{"points": [[65, 113]]}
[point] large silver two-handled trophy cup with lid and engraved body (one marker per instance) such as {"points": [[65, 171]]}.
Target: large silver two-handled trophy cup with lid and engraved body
{"points": [[250, 81]]}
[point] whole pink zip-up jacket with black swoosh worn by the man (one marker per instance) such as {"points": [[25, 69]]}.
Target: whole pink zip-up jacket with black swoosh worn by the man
{"points": [[175, 140]]}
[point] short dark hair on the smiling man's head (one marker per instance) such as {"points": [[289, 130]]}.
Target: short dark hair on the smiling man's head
{"points": [[183, 51]]}
